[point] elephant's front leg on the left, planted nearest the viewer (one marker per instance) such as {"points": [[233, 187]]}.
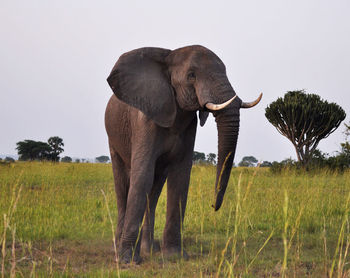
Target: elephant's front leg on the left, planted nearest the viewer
{"points": [[141, 181]]}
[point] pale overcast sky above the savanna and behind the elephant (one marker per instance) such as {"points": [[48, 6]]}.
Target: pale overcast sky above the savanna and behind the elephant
{"points": [[55, 57]]}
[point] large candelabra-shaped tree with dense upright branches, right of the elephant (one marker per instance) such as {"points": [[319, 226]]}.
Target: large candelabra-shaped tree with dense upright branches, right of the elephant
{"points": [[305, 120]]}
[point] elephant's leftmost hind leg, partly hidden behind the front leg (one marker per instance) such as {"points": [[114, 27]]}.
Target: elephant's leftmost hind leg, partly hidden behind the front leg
{"points": [[121, 183]]}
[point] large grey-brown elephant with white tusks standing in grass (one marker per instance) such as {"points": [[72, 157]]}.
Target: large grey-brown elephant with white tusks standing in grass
{"points": [[151, 122]]}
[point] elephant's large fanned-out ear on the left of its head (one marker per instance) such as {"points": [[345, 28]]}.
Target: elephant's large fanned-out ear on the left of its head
{"points": [[139, 78]]}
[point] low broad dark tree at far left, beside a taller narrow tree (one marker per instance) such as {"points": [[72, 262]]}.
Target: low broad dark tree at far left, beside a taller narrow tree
{"points": [[33, 150]]}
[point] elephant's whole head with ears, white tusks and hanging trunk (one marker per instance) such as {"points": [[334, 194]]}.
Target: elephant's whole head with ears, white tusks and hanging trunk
{"points": [[157, 81]]}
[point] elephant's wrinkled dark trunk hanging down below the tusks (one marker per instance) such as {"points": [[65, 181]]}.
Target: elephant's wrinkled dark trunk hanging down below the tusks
{"points": [[228, 127]]}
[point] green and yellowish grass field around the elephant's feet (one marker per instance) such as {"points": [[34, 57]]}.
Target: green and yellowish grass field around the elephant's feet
{"points": [[55, 223]]}
